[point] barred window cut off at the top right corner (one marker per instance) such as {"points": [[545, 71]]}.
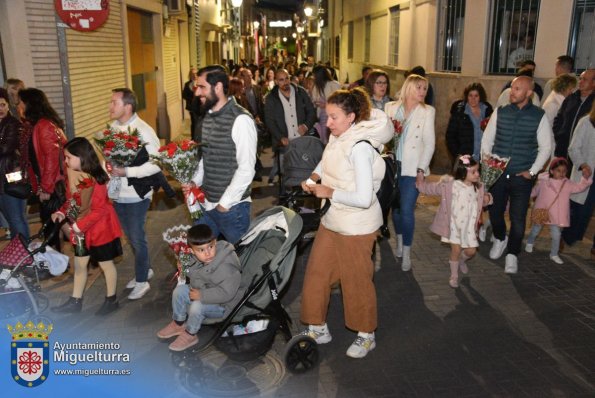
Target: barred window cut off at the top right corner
{"points": [[582, 35]]}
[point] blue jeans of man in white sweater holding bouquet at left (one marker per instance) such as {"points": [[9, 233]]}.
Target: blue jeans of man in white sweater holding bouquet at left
{"points": [[132, 217]]}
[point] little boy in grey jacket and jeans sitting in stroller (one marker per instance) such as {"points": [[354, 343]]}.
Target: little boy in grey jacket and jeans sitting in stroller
{"points": [[213, 291]]}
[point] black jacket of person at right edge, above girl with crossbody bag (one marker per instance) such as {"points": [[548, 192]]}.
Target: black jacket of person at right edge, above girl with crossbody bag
{"points": [[568, 116]]}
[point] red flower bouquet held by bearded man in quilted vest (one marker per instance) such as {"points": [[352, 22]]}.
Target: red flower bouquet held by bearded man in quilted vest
{"points": [[180, 159]]}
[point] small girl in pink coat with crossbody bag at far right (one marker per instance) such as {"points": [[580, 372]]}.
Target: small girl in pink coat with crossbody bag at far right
{"points": [[550, 183]]}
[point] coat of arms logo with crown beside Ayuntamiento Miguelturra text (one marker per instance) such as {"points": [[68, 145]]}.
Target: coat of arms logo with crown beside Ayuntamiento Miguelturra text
{"points": [[30, 353]]}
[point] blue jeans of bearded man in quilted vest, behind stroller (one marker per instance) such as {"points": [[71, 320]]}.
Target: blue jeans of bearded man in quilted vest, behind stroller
{"points": [[231, 224]]}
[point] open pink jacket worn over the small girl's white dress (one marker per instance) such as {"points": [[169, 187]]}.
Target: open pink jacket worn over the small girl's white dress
{"points": [[443, 188]]}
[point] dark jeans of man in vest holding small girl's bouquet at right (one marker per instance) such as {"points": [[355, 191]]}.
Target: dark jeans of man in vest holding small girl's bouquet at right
{"points": [[517, 189]]}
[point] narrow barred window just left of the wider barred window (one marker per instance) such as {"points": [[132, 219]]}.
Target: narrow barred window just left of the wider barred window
{"points": [[451, 20]]}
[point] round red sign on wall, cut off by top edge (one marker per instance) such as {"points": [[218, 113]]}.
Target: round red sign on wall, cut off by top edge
{"points": [[83, 15]]}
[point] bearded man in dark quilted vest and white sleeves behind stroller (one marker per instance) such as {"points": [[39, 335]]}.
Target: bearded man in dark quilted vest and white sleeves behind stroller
{"points": [[226, 169]]}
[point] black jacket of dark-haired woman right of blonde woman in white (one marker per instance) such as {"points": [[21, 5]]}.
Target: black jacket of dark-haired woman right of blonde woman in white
{"points": [[459, 133]]}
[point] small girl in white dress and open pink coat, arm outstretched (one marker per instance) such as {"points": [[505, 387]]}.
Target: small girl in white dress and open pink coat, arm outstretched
{"points": [[458, 216]]}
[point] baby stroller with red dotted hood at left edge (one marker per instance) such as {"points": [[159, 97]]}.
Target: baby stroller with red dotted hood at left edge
{"points": [[21, 264]]}
